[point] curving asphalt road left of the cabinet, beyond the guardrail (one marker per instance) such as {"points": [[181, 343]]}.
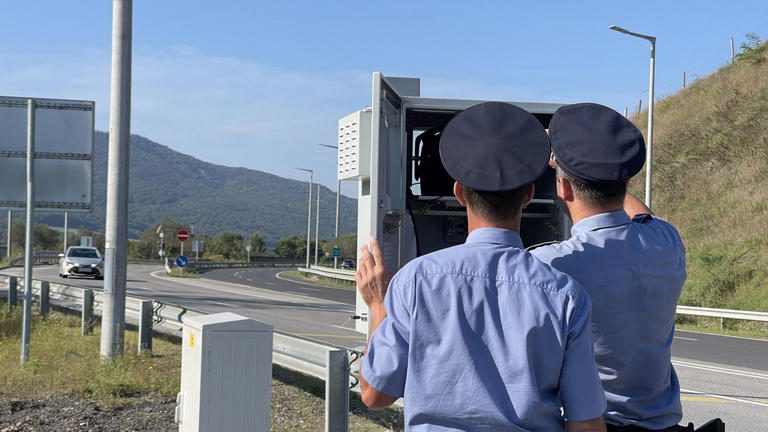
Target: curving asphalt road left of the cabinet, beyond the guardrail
{"points": [[297, 308]]}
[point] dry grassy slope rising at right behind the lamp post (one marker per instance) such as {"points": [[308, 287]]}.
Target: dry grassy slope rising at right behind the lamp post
{"points": [[711, 181]]}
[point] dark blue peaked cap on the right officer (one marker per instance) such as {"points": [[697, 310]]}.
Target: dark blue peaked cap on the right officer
{"points": [[594, 143]]}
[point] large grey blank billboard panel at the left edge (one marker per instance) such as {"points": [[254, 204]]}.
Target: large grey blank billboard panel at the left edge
{"points": [[63, 154]]}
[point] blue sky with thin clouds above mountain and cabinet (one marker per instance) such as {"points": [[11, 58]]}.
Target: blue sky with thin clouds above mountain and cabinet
{"points": [[260, 83]]}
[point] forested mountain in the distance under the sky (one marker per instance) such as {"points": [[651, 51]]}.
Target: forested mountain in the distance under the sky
{"points": [[212, 198]]}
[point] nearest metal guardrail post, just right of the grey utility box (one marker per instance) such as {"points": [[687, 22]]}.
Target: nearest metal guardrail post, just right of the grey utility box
{"points": [[337, 391]]}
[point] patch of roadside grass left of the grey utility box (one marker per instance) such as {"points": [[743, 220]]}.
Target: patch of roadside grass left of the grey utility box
{"points": [[64, 362]]}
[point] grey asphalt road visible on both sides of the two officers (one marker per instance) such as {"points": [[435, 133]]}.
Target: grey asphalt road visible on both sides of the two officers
{"points": [[720, 376]]}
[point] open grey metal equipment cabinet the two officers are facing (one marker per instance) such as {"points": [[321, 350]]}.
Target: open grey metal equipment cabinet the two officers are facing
{"points": [[411, 216]]}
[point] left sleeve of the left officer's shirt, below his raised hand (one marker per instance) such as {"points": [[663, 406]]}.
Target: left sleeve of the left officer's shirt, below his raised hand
{"points": [[386, 364]]}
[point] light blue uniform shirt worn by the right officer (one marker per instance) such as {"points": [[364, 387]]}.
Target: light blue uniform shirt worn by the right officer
{"points": [[634, 272]]}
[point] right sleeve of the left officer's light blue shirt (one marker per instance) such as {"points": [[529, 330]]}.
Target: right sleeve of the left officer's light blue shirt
{"points": [[581, 391]]}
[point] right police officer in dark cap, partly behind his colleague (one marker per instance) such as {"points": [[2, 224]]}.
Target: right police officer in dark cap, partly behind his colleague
{"points": [[631, 262]]}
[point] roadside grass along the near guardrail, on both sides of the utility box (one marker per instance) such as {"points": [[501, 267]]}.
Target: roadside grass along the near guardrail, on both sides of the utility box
{"points": [[63, 362]]}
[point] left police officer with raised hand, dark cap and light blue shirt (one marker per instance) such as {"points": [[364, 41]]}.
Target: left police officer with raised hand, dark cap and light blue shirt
{"points": [[483, 336]]}
